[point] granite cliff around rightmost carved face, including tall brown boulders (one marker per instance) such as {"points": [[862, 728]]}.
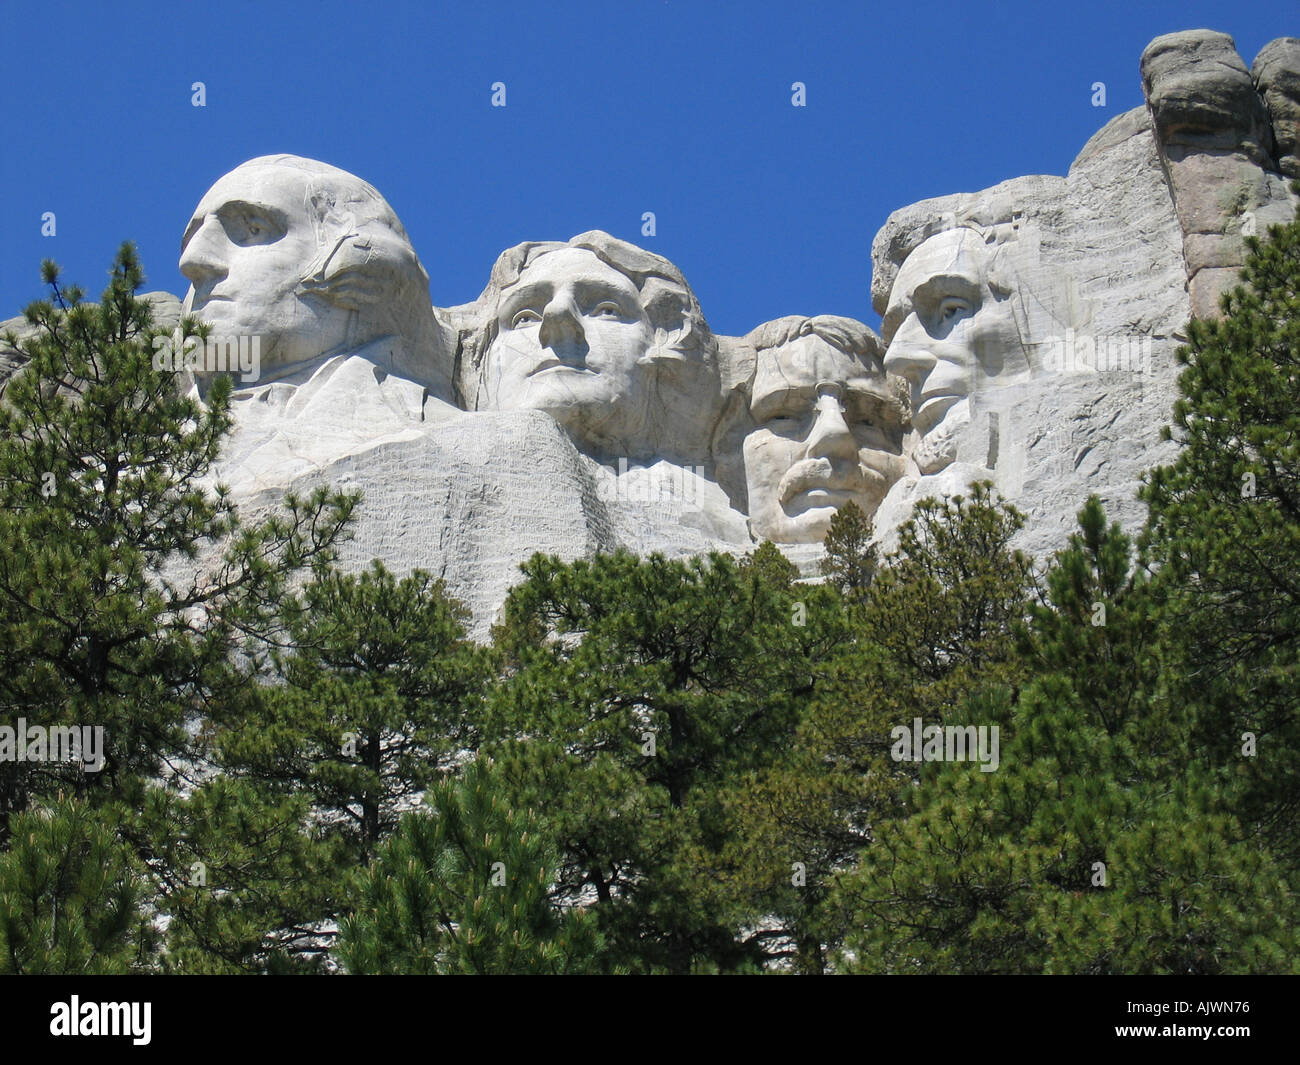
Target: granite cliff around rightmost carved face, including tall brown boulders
{"points": [[1102, 270]]}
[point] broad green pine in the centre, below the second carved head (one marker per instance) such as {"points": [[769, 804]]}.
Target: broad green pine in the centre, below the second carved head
{"points": [[638, 691]]}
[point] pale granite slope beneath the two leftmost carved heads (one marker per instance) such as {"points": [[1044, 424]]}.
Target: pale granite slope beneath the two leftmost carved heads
{"points": [[469, 497]]}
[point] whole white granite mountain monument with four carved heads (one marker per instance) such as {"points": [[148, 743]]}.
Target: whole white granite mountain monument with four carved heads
{"points": [[583, 404]]}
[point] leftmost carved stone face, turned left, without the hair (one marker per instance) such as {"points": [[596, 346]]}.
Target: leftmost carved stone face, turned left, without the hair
{"points": [[245, 253]]}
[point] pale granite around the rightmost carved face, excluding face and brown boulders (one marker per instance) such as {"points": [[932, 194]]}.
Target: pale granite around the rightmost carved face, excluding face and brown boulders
{"points": [[1093, 265]]}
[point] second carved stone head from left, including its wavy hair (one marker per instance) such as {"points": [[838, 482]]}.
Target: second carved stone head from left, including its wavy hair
{"points": [[605, 337]]}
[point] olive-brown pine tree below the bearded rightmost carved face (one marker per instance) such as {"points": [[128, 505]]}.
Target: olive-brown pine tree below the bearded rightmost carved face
{"points": [[933, 625]]}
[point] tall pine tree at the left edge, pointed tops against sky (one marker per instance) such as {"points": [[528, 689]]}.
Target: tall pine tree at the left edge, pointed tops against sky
{"points": [[110, 617]]}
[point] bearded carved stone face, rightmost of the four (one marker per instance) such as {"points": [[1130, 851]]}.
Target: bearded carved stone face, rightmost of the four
{"points": [[948, 332]]}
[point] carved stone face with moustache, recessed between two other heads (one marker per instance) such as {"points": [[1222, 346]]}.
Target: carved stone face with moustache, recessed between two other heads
{"points": [[827, 432]]}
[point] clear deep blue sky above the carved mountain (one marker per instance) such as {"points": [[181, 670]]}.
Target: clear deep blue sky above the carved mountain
{"points": [[614, 109]]}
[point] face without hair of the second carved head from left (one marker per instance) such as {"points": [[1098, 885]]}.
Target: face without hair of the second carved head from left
{"points": [[571, 334]]}
